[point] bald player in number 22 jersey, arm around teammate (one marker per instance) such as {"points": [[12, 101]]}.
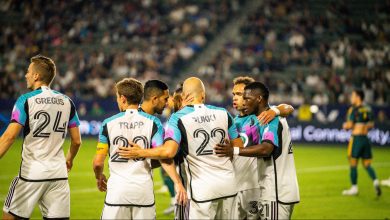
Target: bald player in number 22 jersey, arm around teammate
{"points": [[197, 128]]}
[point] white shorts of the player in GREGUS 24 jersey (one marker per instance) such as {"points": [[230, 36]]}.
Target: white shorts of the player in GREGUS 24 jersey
{"points": [[52, 197]]}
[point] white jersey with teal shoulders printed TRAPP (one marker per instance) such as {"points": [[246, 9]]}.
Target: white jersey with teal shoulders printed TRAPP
{"points": [[130, 182]]}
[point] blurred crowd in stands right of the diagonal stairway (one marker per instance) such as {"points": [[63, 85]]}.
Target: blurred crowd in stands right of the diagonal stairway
{"points": [[310, 52]]}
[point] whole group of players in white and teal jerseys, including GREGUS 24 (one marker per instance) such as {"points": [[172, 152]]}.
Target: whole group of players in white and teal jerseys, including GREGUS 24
{"points": [[222, 167]]}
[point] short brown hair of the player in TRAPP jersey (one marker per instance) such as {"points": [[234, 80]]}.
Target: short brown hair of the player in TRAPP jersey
{"points": [[132, 89]]}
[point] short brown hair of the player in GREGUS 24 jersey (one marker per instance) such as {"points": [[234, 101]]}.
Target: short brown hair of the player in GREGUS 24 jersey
{"points": [[45, 67]]}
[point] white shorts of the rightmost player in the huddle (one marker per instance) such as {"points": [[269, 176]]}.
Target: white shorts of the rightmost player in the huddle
{"points": [[274, 210]]}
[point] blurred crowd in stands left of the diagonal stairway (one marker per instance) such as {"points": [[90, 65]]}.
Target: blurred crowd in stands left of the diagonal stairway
{"points": [[94, 43]]}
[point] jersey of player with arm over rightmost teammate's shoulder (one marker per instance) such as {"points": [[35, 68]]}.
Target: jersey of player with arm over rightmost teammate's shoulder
{"points": [[245, 167]]}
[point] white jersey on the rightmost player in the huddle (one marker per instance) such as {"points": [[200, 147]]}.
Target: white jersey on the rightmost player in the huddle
{"points": [[277, 174]]}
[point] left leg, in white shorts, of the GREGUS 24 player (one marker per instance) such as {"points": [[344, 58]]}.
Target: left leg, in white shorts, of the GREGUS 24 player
{"points": [[22, 198]]}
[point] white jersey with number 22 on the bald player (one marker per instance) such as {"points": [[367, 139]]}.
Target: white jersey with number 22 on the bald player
{"points": [[197, 129]]}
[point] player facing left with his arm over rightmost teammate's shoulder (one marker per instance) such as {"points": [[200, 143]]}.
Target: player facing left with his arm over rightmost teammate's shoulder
{"points": [[245, 167]]}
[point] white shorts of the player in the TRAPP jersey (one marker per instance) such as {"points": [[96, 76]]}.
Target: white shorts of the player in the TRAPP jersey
{"points": [[128, 212]]}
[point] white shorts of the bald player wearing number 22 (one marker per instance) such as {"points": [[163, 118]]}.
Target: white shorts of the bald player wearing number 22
{"points": [[216, 209]]}
